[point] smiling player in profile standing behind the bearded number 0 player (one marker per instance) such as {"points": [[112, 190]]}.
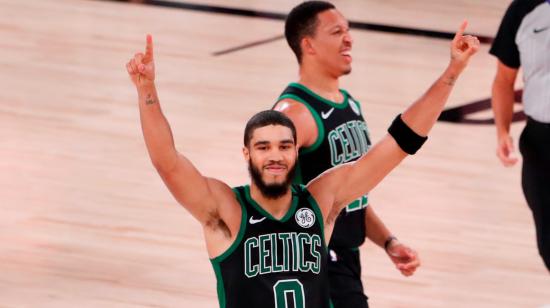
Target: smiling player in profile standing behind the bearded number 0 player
{"points": [[332, 131]]}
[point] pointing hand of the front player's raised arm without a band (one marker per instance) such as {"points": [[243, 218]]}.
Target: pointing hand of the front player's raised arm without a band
{"points": [[141, 67]]}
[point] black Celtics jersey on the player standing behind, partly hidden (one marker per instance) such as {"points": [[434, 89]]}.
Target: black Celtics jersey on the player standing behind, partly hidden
{"points": [[342, 137]]}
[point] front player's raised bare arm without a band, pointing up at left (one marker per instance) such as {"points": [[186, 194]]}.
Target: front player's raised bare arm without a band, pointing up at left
{"points": [[198, 194]]}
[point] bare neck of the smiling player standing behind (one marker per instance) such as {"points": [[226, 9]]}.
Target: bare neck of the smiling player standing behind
{"points": [[321, 82]]}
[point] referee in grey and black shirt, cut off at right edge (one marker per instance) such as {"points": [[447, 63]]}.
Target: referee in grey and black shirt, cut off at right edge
{"points": [[523, 39]]}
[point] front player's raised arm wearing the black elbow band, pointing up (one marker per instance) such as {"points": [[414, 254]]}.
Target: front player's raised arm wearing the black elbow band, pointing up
{"points": [[335, 188]]}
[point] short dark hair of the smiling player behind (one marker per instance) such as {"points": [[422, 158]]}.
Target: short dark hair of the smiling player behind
{"points": [[301, 22]]}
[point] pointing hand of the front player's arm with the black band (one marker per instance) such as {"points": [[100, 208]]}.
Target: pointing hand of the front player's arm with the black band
{"points": [[463, 47]]}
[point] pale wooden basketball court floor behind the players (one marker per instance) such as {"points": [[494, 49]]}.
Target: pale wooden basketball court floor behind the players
{"points": [[86, 222]]}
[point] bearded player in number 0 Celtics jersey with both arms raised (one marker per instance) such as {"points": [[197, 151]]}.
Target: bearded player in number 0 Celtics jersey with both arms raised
{"points": [[267, 240]]}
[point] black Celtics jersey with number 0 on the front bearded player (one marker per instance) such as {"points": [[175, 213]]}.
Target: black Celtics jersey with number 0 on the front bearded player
{"points": [[275, 263]]}
